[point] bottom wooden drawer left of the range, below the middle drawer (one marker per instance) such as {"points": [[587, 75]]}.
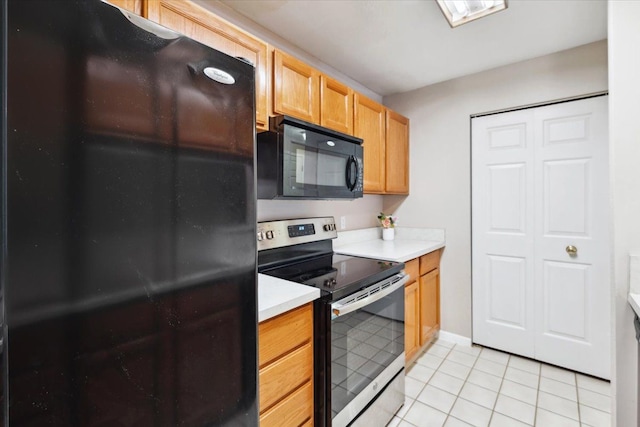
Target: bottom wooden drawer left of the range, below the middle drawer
{"points": [[293, 411]]}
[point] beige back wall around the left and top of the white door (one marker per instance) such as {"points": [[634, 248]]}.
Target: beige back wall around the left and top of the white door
{"points": [[440, 151]]}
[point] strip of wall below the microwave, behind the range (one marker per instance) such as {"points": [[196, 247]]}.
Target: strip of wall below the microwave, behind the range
{"points": [[359, 213]]}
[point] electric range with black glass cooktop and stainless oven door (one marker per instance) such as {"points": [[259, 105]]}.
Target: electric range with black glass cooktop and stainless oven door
{"points": [[359, 320]]}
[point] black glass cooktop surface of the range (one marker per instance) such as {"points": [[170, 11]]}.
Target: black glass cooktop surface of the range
{"points": [[336, 275]]}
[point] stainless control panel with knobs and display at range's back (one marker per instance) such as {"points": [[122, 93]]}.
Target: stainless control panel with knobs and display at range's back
{"points": [[280, 233]]}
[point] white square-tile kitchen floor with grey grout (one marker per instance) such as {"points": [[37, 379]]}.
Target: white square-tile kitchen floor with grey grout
{"points": [[454, 385]]}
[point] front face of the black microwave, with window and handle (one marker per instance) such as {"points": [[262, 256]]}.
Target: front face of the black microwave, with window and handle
{"points": [[316, 165]]}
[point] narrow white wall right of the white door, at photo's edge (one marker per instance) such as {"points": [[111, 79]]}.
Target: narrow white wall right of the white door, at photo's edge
{"points": [[624, 125]]}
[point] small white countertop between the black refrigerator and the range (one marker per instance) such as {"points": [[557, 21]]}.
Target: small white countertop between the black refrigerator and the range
{"points": [[276, 296]]}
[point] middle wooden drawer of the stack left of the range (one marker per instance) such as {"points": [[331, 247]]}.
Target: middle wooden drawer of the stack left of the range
{"points": [[285, 375]]}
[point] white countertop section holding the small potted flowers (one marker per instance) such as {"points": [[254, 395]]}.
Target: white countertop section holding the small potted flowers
{"points": [[409, 243]]}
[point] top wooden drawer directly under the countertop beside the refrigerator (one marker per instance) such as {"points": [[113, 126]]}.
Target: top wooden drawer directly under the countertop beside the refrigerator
{"points": [[283, 333]]}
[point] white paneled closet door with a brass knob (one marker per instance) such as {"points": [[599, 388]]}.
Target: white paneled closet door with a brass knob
{"points": [[540, 234]]}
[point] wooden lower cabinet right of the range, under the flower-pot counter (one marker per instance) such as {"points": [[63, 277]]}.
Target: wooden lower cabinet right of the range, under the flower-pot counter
{"points": [[422, 303]]}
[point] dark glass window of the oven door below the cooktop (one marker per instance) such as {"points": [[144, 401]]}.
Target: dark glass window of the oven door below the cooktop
{"points": [[363, 344]]}
